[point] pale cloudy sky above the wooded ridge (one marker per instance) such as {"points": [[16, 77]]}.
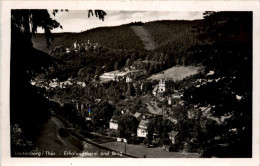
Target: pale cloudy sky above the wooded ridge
{"points": [[78, 20]]}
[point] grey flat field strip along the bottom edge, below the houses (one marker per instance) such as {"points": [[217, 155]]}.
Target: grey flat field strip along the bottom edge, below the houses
{"points": [[141, 151]]}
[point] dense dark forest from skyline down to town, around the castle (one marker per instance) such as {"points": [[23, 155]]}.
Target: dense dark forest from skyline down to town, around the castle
{"points": [[120, 47]]}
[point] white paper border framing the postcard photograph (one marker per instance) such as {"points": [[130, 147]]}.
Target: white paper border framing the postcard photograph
{"points": [[125, 5]]}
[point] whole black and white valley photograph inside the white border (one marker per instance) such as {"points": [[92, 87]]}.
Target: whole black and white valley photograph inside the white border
{"points": [[102, 83]]}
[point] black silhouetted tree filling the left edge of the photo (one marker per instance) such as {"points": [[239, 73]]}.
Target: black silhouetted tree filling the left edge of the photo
{"points": [[28, 106]]}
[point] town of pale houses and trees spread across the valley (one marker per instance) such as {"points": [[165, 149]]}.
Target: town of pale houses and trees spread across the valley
{"points": [[127, 106]]}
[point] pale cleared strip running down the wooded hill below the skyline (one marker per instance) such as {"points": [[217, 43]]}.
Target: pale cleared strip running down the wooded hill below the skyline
{"points": [[144, 36]]}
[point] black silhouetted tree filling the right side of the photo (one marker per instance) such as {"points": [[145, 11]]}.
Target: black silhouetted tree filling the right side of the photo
{"points": [[226, 49]]}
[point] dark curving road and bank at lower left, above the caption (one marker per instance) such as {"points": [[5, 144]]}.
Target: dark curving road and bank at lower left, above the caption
{"points": [[51, 144]]}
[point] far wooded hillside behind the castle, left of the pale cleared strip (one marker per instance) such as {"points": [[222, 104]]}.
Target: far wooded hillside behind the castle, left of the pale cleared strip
{"points": [[120, 37]]}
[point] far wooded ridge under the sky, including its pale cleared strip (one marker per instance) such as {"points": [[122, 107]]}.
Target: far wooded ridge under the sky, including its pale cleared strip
{"points": [[126, 36]]}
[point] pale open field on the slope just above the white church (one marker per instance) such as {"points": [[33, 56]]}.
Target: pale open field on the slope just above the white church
{"points": [[176, 73]]}
